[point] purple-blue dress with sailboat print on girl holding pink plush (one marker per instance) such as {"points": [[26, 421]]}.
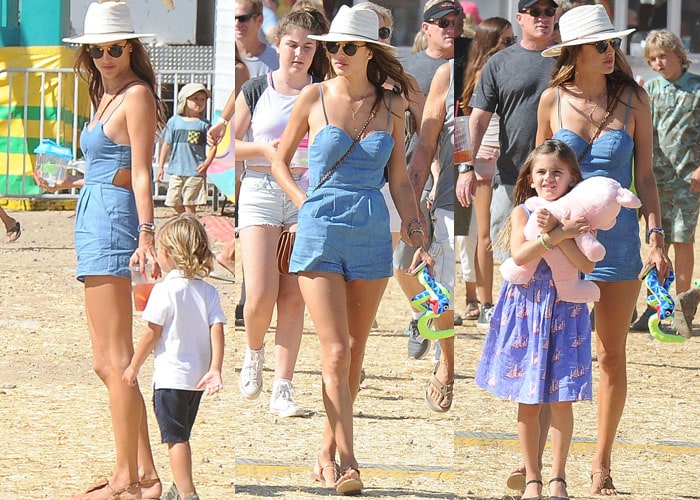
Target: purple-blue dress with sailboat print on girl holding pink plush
{"points": [[538, 348]]}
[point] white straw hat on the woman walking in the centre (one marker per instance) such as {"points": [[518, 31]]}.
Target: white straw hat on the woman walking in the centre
{"points": [[356, 24]]}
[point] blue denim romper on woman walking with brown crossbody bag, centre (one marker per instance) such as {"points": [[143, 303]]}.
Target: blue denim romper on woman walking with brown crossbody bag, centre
{"points": [[344, 225]]}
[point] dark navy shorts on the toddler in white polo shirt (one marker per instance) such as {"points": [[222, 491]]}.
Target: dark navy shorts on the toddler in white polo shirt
{"points": [[175, 411]]}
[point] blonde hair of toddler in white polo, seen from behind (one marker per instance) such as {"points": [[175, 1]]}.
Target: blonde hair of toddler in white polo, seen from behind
{"points": [[184, 238]]}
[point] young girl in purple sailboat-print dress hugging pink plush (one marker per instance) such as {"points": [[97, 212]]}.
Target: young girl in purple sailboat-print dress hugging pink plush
{"points": [[538, 348]]}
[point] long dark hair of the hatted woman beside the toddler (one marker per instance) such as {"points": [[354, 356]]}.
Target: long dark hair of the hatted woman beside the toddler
{"points": [[140, 64]]}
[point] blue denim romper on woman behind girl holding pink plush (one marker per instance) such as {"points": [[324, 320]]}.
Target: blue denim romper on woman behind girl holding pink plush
{"points": [[611, 156]]}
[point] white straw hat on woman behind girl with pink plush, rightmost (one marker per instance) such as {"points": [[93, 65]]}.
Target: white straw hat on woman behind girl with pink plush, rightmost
{"points": [[582, 25]]}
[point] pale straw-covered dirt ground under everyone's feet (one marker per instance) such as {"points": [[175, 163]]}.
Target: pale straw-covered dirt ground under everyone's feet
{"points": [[56, 435]]}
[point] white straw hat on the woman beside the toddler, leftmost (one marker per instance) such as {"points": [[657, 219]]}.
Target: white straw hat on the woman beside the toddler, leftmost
{"points": [[107, 21]]}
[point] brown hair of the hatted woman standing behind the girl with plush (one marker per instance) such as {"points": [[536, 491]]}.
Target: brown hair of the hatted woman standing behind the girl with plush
{"points": [[620, 78]]}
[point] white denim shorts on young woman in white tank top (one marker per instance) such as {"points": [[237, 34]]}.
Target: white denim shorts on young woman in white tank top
{"points": [[263, 203]]}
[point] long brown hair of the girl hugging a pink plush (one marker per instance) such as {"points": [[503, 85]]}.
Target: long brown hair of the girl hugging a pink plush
{"points": [[523, 189]]}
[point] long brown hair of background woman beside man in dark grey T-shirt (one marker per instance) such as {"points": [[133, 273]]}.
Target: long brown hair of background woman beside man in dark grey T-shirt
{"points": [[485, 43]]}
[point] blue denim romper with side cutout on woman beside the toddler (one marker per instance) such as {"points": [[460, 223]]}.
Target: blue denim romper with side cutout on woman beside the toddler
{"points": [[106, 221]]}
